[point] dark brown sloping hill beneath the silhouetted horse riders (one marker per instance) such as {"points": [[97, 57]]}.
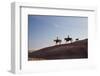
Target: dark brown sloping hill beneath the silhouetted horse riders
{"points": [[78, 49]]}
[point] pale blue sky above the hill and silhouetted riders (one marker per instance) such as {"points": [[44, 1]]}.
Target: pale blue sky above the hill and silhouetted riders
{"points": [[42, 30]]}
